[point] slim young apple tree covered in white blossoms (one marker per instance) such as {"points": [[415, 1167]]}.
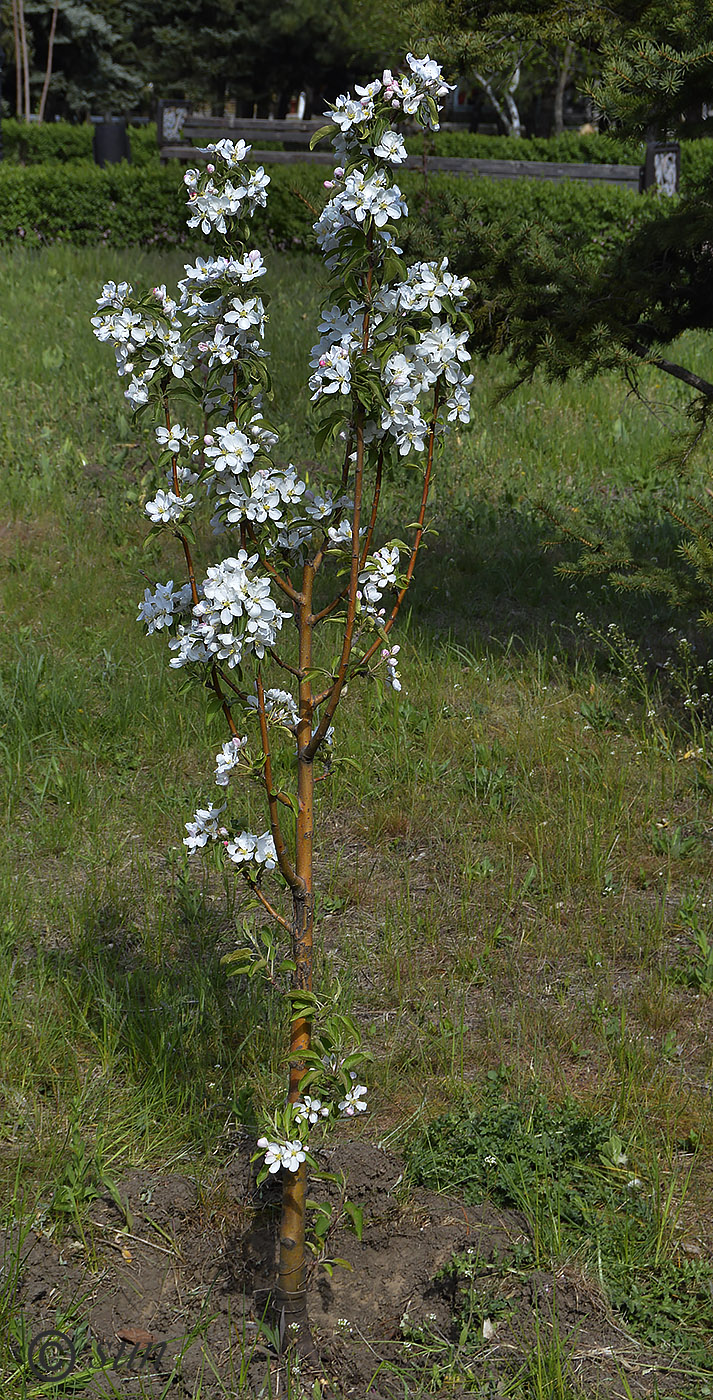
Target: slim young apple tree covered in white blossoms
{"points": [[270, 561]]}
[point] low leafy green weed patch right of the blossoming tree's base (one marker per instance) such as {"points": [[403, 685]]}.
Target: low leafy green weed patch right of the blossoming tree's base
{"points": [[574, 1178]]}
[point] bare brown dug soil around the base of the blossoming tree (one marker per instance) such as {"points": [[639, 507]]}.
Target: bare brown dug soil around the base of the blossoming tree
{"points": [[195, 1268]]}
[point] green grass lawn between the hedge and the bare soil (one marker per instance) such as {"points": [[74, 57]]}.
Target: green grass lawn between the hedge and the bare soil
{"points": [[515, 869]]}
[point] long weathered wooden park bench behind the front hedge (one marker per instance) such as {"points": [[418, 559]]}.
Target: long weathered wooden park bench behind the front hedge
{"points": [[180, 132]]}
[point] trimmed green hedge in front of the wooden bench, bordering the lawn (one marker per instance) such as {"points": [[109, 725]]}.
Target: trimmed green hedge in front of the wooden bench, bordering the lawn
{"points": [[127, 205]]}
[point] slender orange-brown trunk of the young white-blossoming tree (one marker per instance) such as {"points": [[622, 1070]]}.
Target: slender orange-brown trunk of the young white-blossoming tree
{"points": [[292, 1282]]}
